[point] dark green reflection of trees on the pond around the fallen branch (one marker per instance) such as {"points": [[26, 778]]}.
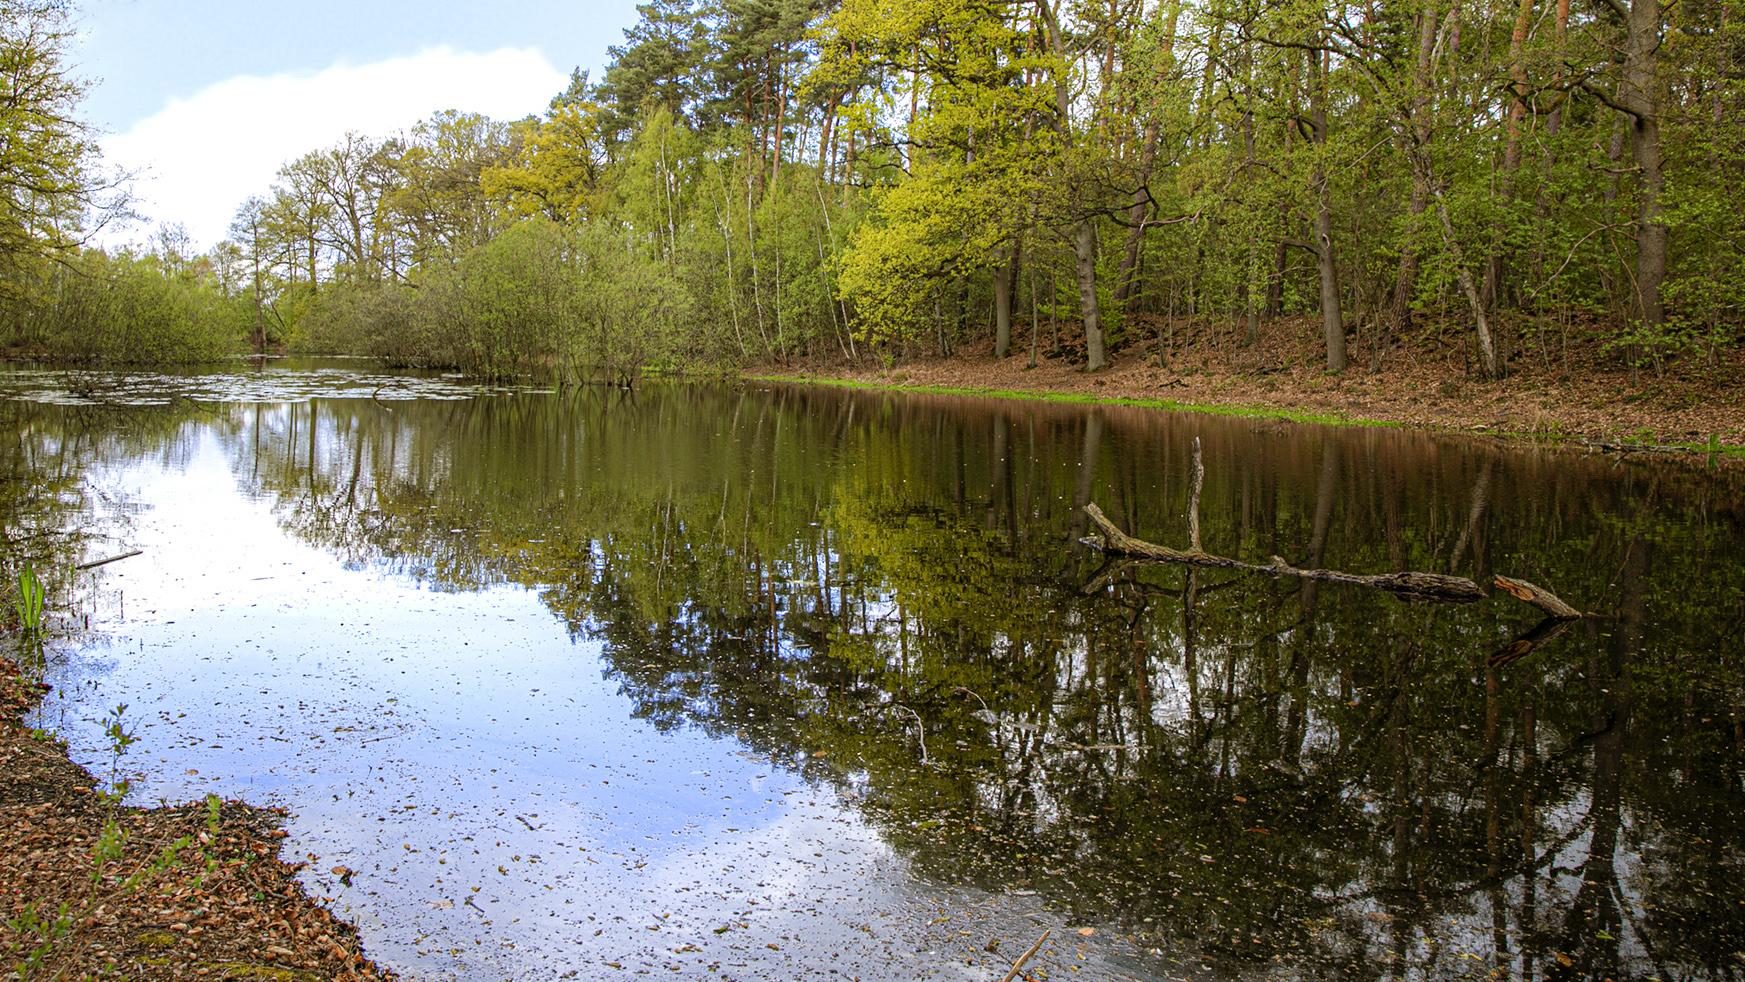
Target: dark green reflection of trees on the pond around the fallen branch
{"points": [[1273, 770]]}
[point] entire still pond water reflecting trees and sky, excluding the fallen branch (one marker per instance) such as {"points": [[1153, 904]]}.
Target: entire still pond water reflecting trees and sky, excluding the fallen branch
{"points": [[776, 683]]}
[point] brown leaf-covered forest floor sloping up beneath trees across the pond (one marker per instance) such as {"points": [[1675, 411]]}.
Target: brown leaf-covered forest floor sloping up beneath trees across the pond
{"points": [[1585, 395]]}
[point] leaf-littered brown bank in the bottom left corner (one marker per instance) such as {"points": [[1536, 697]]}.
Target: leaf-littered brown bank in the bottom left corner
{"points": [[184, 892]]}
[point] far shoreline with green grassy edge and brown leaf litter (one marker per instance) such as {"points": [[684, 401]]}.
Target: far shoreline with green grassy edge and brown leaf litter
{"points": [[1601, 411]]}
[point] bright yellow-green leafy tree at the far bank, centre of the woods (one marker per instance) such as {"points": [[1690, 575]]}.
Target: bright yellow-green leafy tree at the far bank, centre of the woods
{"points": [[982, 153]]}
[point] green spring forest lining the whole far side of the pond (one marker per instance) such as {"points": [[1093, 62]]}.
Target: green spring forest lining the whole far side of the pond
{"points": [[866, 181]]}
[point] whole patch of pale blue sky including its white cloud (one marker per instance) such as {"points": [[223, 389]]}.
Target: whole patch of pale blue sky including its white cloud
{"points": [[210, 99]]}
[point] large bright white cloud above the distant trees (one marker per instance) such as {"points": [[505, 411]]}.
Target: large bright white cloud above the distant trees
{"points": [[207, 156]]}
